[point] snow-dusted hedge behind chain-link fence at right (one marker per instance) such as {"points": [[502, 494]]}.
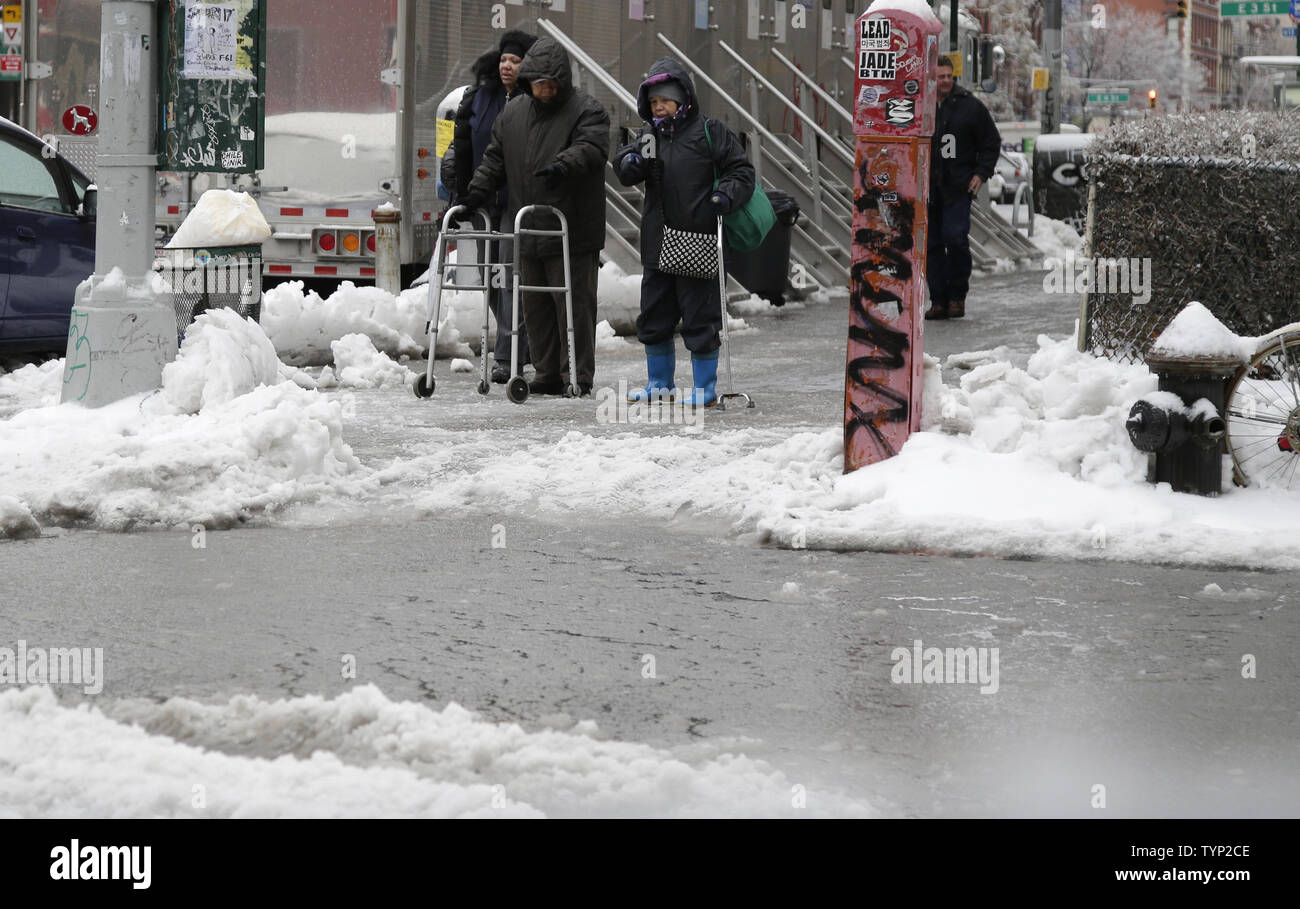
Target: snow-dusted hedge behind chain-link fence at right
{"points": [[1220, 231]]}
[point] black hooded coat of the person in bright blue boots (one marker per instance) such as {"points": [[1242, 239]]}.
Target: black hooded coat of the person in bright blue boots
{"points": [[679, 165]]}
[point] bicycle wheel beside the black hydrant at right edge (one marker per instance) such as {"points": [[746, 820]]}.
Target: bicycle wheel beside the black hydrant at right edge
{"points": [[1264, 415]]}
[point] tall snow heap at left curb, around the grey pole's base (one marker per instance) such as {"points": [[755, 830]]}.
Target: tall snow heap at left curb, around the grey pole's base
{"points": [[226, 439]]}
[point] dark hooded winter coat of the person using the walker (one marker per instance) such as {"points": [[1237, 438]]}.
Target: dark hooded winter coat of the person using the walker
{"points": [[574, 132]]}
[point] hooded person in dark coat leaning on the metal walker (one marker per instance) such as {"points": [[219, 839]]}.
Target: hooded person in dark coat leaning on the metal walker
{"points": [[549, 146]]}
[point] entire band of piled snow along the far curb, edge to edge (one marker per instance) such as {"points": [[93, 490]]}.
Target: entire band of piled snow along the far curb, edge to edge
{"points": [[1012, 462]]}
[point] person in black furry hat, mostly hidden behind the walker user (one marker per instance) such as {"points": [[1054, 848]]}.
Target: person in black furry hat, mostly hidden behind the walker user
{"points": [[496, 83]]}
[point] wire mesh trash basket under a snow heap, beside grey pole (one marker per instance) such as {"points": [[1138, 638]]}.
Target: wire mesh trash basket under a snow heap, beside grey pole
{"points": [[213, 278]]}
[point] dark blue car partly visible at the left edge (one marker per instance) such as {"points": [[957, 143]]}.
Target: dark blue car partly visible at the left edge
{"points": [[47, 243]]}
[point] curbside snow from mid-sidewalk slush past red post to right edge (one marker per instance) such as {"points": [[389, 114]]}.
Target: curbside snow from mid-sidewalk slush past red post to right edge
{"points": [[1015, 462]]}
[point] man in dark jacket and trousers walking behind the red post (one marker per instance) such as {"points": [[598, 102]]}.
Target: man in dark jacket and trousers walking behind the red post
{"points": [[965, 150]]}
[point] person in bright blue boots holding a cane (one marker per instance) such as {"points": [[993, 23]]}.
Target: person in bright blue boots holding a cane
{"points": [[681, 165]]}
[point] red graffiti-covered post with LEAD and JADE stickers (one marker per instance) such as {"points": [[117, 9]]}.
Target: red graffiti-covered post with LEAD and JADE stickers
{"points": [[895, 96]]}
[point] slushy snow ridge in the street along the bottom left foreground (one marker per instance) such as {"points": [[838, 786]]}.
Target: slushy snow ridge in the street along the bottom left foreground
{"points": [[358, 755]]}
